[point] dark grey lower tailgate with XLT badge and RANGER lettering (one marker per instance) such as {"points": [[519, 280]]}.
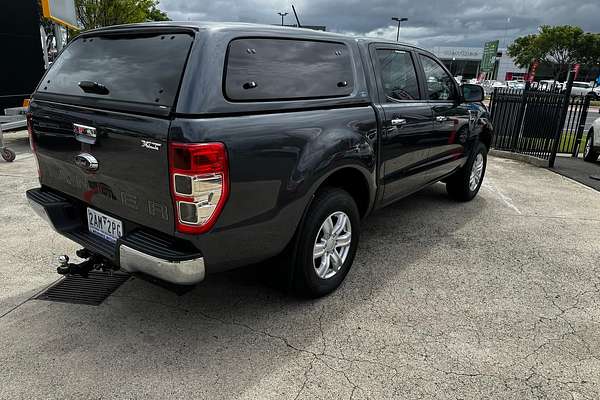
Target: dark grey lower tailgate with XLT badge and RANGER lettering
{"points": [[131, 181]]}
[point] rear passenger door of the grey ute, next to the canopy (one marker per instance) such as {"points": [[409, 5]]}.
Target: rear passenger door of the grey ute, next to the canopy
{"points": [[406, 121]]}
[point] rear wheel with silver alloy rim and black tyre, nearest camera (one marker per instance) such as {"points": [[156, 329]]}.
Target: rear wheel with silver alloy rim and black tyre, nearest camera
{"points": [[327, 243]]}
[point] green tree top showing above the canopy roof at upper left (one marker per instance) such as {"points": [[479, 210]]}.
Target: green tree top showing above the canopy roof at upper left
{"points": [[98, 13]]}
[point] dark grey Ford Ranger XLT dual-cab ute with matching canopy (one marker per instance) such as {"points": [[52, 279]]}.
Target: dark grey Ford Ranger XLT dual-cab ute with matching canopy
{"points": [[180, 149]]}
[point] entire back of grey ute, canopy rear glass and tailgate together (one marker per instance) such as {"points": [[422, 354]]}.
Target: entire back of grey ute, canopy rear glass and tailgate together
{"points": [[100, 121]]}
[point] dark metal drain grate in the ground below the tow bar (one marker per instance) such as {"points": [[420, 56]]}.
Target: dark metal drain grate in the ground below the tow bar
{"points": [[92, 290]]}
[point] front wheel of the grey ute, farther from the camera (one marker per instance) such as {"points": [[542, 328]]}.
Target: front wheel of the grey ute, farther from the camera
{"points": [[465, 183]]}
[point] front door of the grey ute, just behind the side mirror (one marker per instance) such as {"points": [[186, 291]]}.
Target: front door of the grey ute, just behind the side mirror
{"points": [[450, 117]]}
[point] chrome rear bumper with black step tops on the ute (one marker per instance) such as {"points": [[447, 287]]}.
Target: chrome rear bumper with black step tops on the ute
{"points": [[138, 251]]}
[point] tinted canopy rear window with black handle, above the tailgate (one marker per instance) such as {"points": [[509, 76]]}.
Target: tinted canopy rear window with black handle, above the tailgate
{"points": [[136, 68]]}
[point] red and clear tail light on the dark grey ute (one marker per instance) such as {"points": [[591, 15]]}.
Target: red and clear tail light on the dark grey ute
{"points": [[199, 183]]}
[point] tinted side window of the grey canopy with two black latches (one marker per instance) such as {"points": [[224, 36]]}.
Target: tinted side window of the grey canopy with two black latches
{"points": [[267, 69]]}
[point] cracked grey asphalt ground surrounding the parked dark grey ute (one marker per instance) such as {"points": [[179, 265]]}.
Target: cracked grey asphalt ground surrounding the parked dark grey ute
{"points": [[498, 298]]}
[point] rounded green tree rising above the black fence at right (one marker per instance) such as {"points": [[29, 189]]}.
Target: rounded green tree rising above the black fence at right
{"points": [[559, 46]]}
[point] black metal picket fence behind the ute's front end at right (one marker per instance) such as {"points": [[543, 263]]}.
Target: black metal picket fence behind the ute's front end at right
{"points": [[538, 122]]}
